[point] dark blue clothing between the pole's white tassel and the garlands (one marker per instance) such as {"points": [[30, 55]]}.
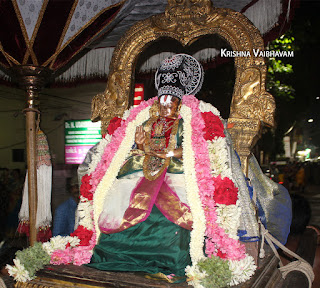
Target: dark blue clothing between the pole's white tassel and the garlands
{"points": [[64, 218]]}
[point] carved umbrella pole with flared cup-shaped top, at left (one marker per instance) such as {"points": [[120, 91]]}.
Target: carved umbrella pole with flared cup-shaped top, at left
{"points": [[31, 79]]}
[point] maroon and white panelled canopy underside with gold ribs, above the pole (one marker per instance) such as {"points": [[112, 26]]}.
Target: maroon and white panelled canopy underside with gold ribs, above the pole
{"points": [[50, 33]]}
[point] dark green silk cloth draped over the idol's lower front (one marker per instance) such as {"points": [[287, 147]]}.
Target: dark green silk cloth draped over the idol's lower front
{"points": [[153, 246]]}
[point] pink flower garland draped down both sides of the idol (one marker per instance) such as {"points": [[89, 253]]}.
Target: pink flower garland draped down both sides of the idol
{"points": [[218, 243]]}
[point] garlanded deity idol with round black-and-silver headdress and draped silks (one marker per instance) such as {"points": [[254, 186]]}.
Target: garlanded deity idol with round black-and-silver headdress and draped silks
{"points": [[163, 193]]}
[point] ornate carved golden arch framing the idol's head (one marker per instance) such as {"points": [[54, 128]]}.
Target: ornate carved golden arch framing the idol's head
{"points": [[186, 21]]}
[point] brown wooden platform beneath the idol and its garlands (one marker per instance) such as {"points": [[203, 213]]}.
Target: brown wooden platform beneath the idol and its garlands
{"points": [[64, 276]]}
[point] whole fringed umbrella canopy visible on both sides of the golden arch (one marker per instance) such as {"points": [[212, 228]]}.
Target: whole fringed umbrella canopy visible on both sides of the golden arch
{"points": [[55, 34]]}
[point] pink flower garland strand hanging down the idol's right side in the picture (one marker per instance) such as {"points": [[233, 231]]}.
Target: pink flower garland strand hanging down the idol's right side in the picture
{"points": [[217, 242]]}
